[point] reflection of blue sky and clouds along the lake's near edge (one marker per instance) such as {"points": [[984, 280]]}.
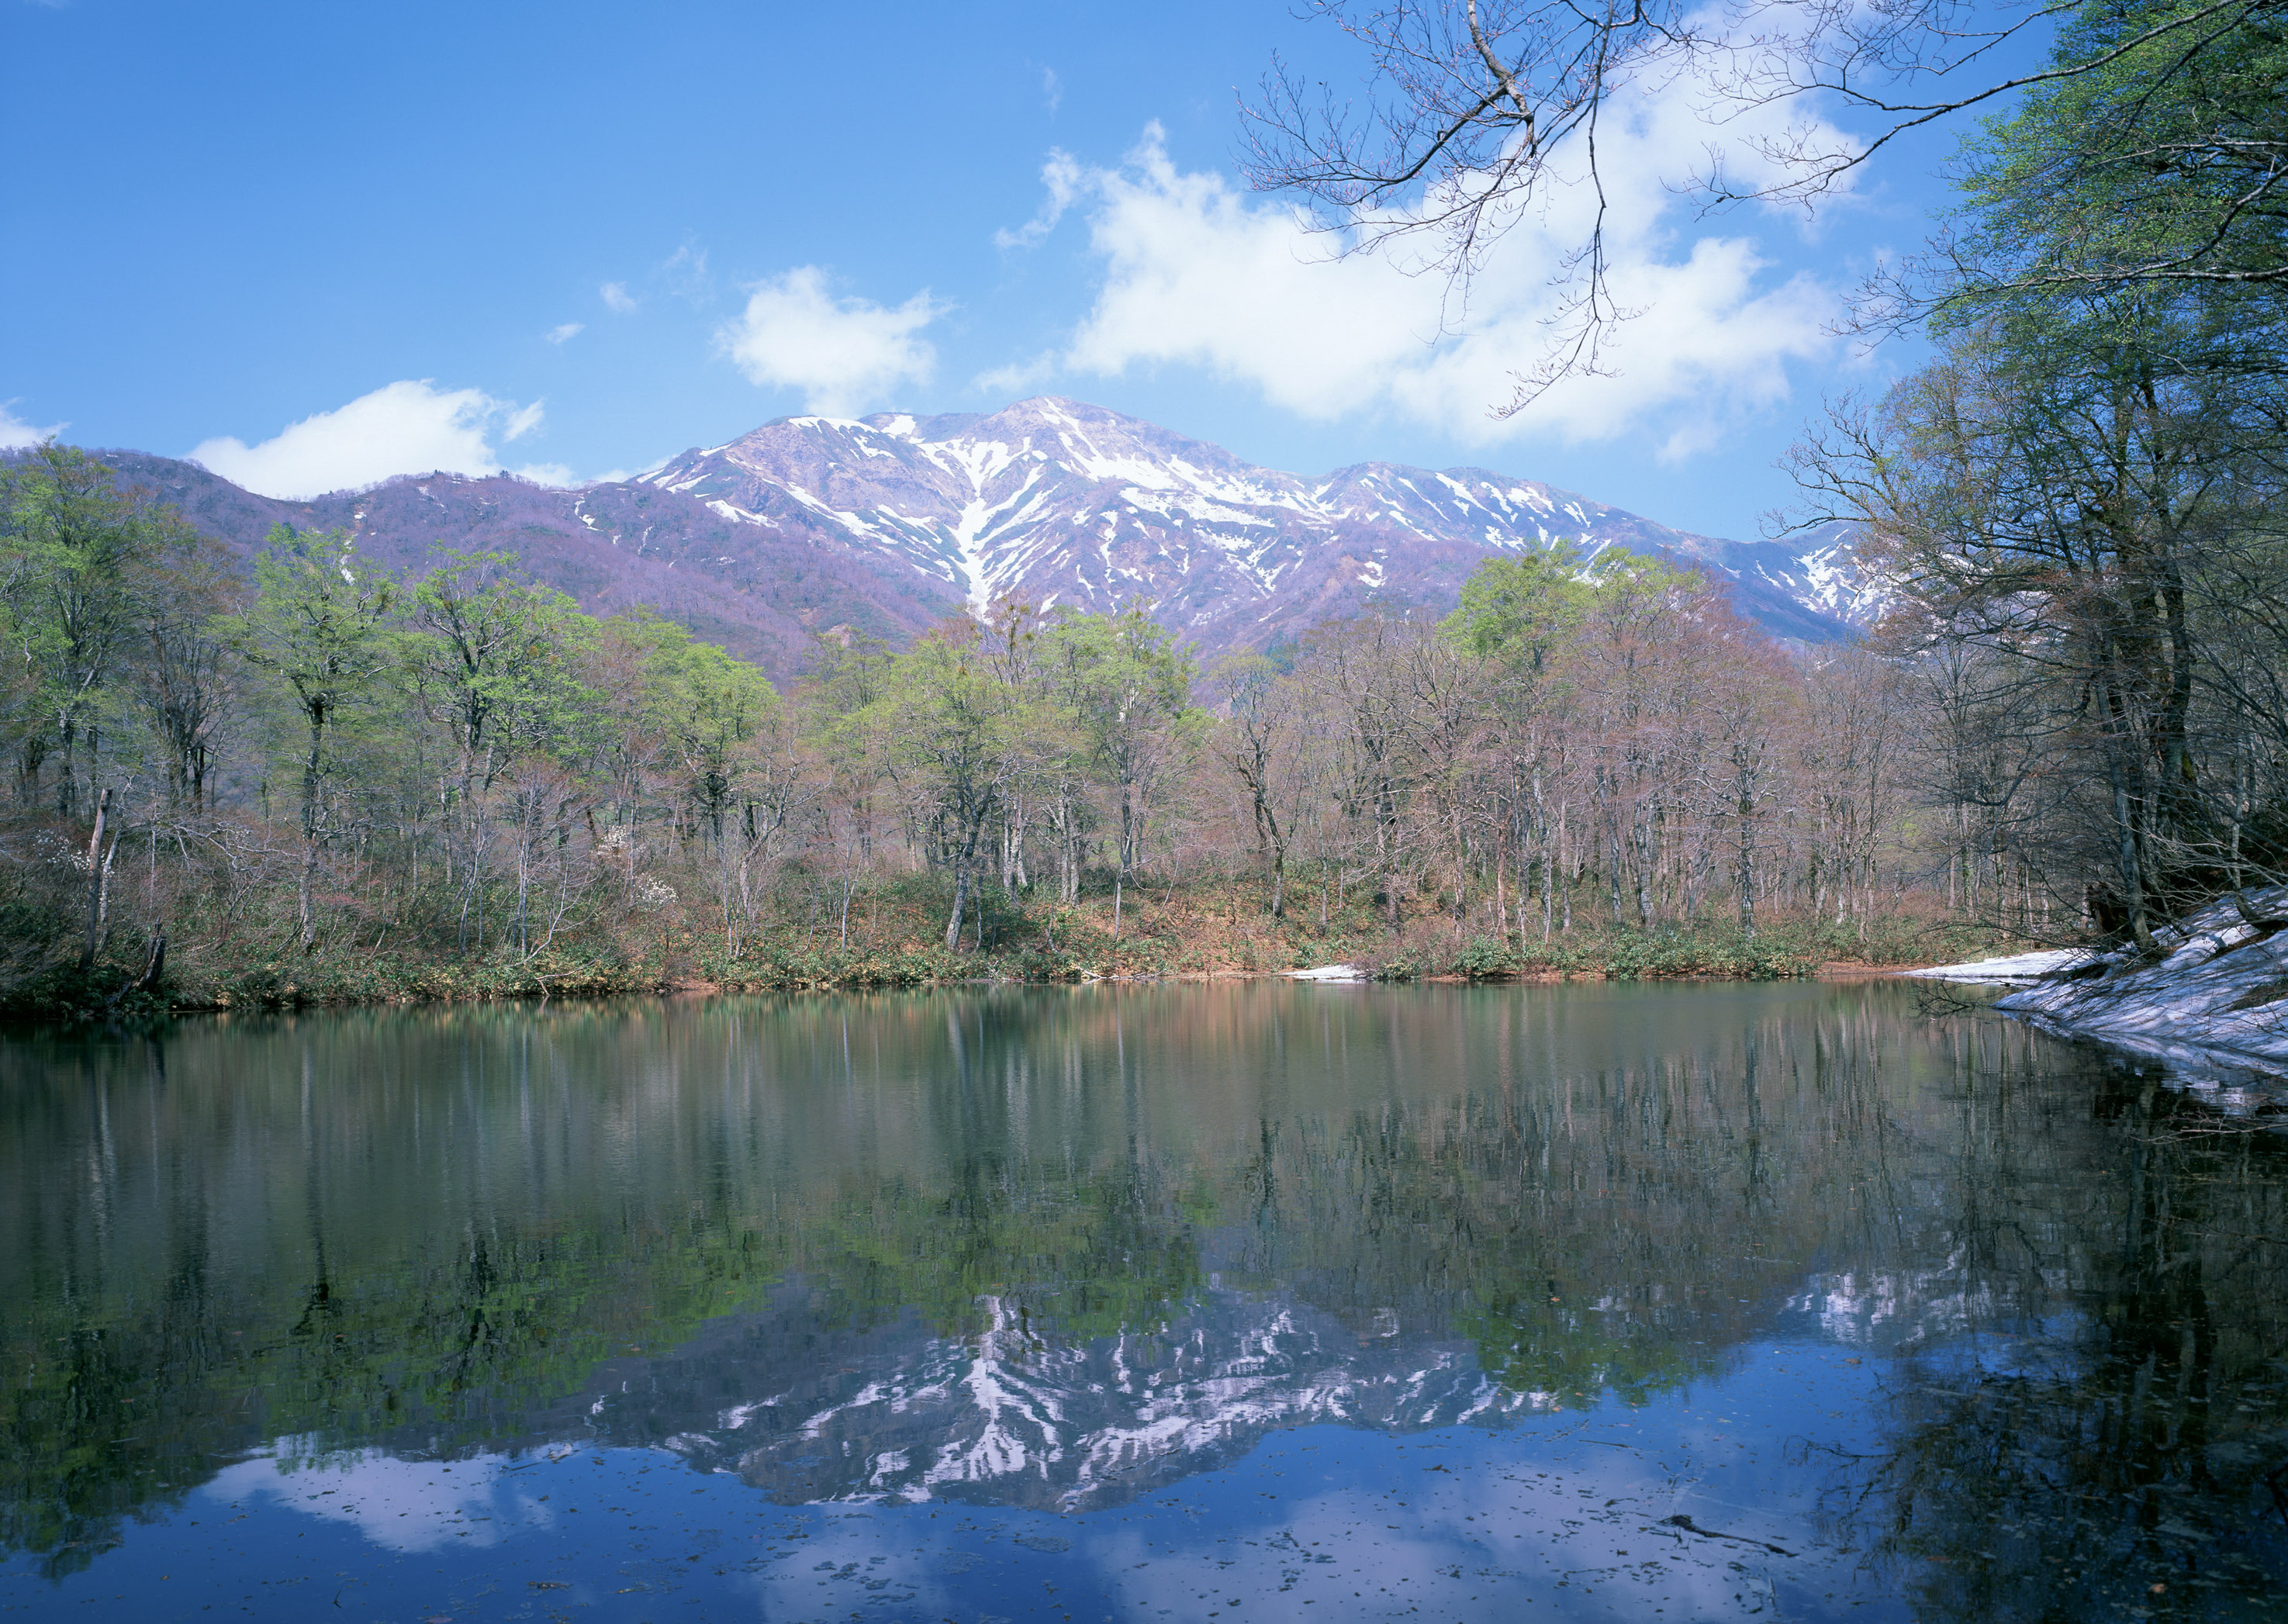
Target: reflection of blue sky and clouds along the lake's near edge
{"points": [[1564, 1511]]}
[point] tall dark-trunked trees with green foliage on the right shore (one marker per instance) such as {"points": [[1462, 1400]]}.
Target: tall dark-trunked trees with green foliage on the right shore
{"points": [[2083, 497]]}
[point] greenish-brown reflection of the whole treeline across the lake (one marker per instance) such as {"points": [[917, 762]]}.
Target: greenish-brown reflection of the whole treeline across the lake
{"points": [[429, 1232]]}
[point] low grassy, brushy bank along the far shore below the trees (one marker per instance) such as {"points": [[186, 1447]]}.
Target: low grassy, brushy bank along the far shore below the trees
{"points": [[1209, 928]]}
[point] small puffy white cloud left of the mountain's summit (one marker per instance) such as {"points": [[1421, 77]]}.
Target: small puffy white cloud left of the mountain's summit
{"points": [[841, 353]]}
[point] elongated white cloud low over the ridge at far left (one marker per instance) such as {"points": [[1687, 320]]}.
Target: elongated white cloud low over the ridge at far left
{"points": [[402, 429]]}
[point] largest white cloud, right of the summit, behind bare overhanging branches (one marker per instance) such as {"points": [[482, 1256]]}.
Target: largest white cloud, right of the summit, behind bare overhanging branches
{"points": [[1198, 273]]}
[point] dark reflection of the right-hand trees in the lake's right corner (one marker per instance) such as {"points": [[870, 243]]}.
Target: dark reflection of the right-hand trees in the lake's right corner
{"points": [[2106, 1433]]}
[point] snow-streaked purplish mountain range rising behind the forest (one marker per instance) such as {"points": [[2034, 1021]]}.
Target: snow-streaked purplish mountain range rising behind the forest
{"points": [[891, 523]]}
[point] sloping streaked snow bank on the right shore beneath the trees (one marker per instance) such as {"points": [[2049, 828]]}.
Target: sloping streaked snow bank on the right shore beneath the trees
{"points": [[2218, 992]]}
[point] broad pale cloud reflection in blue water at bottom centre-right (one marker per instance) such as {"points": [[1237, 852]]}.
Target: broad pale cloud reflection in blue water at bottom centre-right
{"points": [[1472, 1543]]}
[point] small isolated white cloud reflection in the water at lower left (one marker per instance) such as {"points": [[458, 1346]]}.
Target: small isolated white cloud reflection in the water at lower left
{"points": [[397, 1504]]}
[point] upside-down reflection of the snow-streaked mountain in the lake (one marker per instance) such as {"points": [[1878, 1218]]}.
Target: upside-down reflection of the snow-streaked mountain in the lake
{"points": [[1017, 1419]]}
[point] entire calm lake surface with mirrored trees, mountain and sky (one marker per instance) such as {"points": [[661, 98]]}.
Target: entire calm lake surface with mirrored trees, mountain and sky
{"points": [[1246, 1303]]}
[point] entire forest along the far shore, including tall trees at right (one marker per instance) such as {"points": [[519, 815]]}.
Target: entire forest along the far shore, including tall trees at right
{"points": [[301, 779]]}
